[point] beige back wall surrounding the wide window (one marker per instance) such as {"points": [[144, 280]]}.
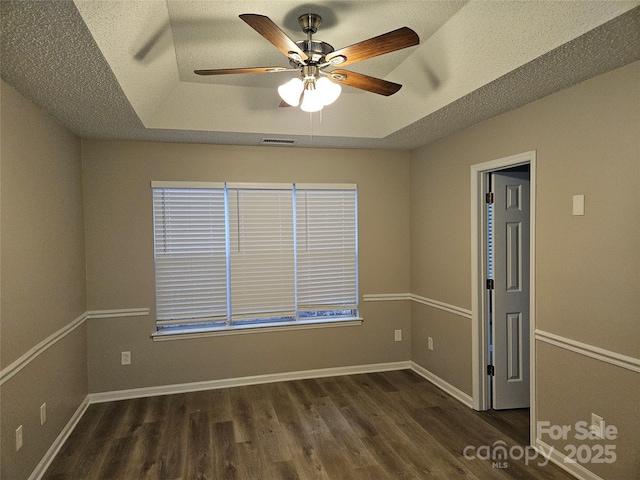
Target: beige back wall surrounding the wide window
{"points": [[119, 244]]}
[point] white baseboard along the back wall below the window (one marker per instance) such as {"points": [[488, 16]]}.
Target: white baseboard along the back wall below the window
{"points": [[243, 381]]}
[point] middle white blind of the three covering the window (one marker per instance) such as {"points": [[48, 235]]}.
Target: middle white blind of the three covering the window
{"points": [[262, 253]]}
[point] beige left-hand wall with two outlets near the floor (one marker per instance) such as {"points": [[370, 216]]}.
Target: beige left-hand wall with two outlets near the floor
{"points": [[42, 278]]}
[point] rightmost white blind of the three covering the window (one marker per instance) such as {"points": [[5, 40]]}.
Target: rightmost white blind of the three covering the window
{"points": [[327, 242]]}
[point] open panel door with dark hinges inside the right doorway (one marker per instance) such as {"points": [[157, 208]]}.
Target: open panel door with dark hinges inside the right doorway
{"points": [[510, 325]]}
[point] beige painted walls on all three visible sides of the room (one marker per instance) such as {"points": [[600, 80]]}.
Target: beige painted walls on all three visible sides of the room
{"points": [[588, 268]]}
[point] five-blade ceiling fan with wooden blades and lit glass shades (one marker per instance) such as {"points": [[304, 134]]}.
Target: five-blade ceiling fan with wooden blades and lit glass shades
{"points": [[316, 86]]}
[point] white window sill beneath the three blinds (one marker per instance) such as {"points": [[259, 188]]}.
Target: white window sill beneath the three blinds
{"points": [[245, 329]]}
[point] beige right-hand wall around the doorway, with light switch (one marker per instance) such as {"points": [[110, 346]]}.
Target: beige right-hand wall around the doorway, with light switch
{"points": [[588, 268]]}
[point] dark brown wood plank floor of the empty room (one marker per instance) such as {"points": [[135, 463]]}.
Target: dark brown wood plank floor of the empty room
{"points": [[392, 425]]}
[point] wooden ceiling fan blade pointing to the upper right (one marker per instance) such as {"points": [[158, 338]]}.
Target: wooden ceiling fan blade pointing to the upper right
{"points": [[387, 42]]}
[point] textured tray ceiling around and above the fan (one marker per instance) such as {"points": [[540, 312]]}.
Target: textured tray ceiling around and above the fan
{"points": [[123, 69]]}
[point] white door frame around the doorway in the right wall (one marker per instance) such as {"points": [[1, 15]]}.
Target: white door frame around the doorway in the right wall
{"points": [[479, 321]]}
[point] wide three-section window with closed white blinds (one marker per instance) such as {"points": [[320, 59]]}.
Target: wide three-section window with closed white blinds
{"points": [[230, 255]]}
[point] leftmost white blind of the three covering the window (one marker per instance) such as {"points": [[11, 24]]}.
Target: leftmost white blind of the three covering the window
{"points": [[190, 255]]}
